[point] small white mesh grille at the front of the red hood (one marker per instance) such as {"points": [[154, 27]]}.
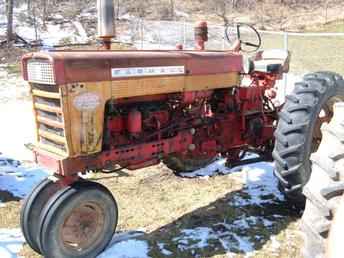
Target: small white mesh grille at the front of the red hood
{"points": [[40, 71]]}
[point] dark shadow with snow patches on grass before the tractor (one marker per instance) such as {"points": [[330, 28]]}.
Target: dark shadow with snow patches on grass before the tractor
{"points": [[222, 227]]}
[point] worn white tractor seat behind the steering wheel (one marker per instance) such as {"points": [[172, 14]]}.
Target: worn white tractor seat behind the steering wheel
{"points": [[272, 61]]}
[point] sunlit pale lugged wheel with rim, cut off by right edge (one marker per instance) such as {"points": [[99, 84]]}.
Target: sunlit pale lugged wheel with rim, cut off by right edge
{"points": [[324, 193]]}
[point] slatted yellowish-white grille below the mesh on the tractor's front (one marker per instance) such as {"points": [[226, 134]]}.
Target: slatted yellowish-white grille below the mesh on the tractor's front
{"points": [[49, 117]]}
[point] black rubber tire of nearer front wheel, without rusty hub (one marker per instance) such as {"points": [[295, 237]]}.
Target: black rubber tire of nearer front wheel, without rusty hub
{"points": [[57, 213]]}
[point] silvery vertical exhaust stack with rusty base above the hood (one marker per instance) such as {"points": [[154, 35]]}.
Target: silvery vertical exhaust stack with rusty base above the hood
{"points": [[106, 22]]}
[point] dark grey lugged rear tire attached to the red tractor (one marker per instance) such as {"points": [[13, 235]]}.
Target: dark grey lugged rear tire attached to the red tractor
{"points": [[298, 131]]}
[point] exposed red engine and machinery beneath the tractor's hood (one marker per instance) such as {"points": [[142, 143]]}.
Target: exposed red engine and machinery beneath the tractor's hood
{"points": [[217, 120]]}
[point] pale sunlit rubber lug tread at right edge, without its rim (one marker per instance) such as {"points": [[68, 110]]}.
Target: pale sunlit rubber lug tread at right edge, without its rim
{"points": [[324, 190]]}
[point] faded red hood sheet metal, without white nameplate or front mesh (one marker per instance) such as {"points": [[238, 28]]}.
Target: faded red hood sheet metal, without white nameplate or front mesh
{"points": [[82, 66]]}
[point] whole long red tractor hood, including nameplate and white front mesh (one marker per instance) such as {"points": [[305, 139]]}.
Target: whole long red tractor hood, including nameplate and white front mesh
{"points": [[62, 67]]}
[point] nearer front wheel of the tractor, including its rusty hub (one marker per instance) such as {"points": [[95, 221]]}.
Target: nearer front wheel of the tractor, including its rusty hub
{"points": [[78, 221]]}
